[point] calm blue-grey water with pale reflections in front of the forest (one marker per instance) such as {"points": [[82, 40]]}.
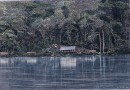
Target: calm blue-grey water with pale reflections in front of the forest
{"points": [[65, 73]]}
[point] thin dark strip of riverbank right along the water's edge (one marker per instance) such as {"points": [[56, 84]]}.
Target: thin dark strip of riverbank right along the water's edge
{"points": [[61, 54]]}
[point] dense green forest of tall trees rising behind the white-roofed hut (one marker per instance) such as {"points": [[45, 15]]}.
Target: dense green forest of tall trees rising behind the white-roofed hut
{"points": [[33, 26]]}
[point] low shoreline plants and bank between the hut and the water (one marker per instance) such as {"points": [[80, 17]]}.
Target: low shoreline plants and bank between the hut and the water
{"points": [[58, 53]]}
